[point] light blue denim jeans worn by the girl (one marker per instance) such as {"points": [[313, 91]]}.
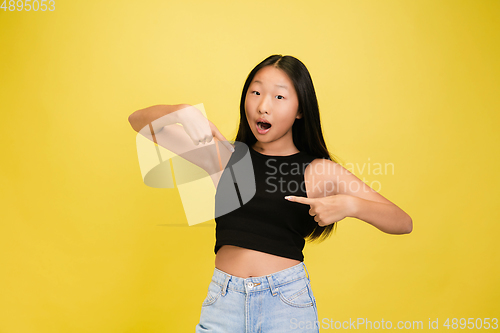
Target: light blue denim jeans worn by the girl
{"points": [[274, 303]]}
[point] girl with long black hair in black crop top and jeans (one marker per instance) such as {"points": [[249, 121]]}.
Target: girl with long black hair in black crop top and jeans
{"points": [[295, 191]]}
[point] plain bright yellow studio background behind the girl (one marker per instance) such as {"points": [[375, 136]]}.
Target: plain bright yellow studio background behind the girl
{"points": [[85, 246]]}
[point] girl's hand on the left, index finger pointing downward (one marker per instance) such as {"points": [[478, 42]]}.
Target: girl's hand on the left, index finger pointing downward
{"points": [[199, 128]]}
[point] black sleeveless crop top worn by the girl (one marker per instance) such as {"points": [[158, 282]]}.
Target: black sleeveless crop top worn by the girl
{"points": [[250, 207]]}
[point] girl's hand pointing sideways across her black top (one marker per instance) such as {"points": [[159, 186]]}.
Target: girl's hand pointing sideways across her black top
{"points": [[328, 210]]}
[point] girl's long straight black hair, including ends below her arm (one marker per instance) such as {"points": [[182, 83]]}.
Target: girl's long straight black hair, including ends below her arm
{"points": [[306, 131]]}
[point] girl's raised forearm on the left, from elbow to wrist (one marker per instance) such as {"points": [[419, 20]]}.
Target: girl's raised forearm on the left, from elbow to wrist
{"points": [[157, 116]]}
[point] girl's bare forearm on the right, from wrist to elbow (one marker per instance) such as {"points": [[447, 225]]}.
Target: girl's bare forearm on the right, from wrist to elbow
{"points": [[386, 217]]}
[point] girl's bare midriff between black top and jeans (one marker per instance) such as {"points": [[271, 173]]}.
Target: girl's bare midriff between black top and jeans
{"points": [[244, 263]]}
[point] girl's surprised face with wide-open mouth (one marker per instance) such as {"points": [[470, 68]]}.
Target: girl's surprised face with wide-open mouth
{"points": [[271, 106]]}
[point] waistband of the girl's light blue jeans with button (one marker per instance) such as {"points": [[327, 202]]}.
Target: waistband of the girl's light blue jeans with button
{"points": [[259, 283]]}
